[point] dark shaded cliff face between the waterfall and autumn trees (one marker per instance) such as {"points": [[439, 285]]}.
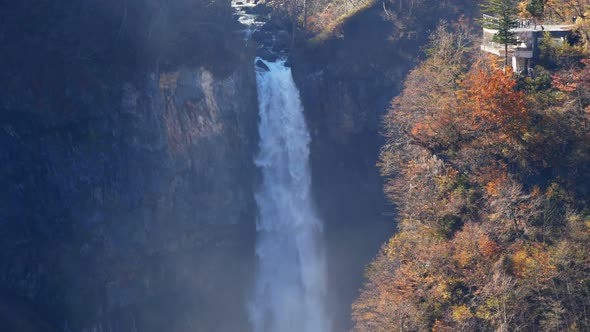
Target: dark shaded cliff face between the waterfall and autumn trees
{"points": [[346, 85]]}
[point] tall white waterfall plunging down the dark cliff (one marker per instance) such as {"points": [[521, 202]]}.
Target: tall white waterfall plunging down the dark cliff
{"points": [[291, 277]]}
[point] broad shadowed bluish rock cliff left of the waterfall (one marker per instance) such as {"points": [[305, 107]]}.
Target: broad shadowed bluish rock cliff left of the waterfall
{"points": [[127, 174]]}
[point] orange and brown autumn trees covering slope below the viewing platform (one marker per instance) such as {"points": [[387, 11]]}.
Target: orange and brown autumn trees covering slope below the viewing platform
{"points": [[490, 175]]}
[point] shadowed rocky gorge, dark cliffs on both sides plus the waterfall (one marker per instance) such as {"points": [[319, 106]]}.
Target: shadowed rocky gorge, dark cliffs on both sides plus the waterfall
{"points": [[138, 174]]}
